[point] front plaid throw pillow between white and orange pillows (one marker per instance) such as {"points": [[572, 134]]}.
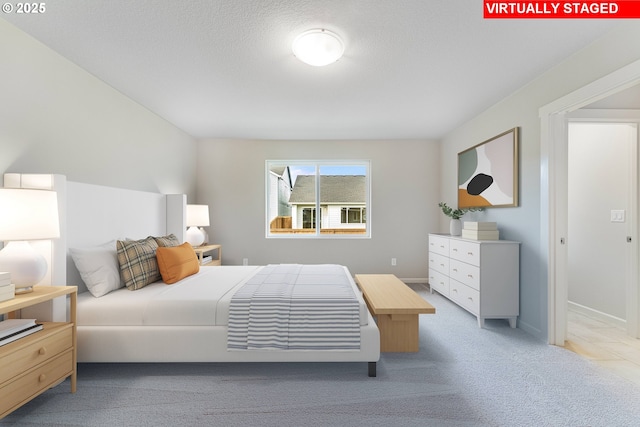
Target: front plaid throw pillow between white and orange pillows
{"points": [[138, 264]]}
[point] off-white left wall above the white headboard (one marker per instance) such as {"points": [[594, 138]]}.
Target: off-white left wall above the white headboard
{"points": [[57, 118]]}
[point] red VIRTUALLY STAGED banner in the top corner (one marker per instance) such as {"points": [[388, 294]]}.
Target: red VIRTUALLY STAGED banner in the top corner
{"points": [[623, 9]]}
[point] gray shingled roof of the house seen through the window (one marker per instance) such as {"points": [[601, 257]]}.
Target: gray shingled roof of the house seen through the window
{"points": [[342, 189]]}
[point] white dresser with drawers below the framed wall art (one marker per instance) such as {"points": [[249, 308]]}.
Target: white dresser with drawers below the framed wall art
{"points": [[480, 276]]}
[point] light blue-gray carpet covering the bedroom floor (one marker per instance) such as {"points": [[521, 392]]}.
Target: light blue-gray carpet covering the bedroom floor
{"points": [[462, 376]]}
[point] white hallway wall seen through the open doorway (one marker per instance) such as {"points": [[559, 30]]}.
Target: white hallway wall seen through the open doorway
{"points": [[599, 181]]}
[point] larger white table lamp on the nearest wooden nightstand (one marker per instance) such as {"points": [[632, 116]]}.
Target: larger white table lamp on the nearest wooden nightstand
{"points": [[26, 214]]}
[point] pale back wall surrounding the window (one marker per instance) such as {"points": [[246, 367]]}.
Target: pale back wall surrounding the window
{"points": [[404, 203]]}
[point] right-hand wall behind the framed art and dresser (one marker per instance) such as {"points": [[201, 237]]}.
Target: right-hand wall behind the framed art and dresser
{"points": [[616, 49]]}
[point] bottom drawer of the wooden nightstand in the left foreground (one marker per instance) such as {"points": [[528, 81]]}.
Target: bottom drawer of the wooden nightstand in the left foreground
{"points": [[31, 383]]}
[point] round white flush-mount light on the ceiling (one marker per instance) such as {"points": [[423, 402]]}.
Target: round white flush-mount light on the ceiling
{"points": [[318, 47]]}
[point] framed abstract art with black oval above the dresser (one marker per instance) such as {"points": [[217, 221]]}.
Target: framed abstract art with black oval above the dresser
{"points": [[488, 173]]}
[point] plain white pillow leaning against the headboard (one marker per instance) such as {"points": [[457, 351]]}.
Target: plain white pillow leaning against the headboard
{"points": [[98, 267]]}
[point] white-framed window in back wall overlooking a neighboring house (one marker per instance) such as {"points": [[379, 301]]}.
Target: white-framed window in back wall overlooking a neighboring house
{"points": [[317, 199]]}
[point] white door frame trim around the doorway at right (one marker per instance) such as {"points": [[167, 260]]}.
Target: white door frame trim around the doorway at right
{"points": [[553, 206]]}
